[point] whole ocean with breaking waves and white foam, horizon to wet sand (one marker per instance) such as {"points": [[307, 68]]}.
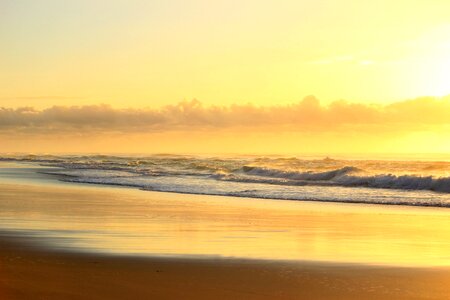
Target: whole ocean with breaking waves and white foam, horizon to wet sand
{"points": [[373, 181]]}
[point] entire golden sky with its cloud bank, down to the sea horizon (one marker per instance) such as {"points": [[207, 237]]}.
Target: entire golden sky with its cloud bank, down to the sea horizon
{"points": [[224, 76]]}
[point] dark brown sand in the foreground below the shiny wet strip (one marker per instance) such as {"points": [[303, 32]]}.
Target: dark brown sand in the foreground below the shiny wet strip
{"points": [[30, 273]]}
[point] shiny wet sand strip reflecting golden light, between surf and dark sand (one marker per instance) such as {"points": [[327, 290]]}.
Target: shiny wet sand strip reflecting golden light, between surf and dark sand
{"points": [[131, 221]]}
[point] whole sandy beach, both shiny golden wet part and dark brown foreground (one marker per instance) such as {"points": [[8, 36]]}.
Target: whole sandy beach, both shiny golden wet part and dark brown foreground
{"points": [[75, 241]]}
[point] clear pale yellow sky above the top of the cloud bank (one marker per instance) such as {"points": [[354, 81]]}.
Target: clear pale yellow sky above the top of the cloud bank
{"points": [[146, 53]]}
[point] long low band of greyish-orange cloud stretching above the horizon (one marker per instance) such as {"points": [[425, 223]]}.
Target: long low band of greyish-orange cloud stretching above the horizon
{"points": [[306, 115]]}
